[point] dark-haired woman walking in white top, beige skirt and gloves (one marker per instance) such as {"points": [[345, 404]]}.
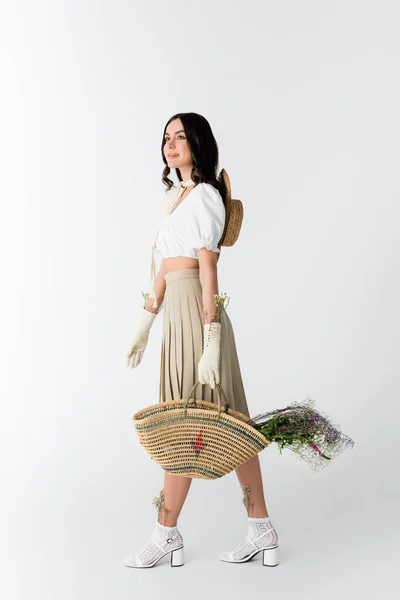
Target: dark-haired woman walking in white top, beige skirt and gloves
{"points": [[198, 340]]}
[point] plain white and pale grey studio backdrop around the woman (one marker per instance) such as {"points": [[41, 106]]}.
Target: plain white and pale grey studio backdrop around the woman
{"points": [[303, 98]]}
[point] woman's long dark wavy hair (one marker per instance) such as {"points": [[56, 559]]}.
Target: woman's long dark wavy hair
{"points": [[204, 149]]}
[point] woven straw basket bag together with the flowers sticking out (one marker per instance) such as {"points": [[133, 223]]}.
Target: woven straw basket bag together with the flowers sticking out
{"points": [[195, 438]]}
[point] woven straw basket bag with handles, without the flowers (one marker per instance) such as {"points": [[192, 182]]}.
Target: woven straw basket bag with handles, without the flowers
{"points": [[195, 438]]}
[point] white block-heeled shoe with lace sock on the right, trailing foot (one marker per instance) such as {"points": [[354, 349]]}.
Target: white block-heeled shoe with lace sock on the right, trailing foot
{"points": [[261, 537]]}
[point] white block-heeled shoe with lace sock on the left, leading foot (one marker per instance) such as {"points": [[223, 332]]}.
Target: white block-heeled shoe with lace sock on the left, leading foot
{"points": [[162, 541]]}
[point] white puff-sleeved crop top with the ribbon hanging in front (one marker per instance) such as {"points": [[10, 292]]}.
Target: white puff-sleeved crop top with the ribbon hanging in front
{"points": [[196, 222]]}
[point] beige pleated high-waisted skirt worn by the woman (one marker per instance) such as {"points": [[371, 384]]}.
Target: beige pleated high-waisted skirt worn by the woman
{"points": [[182, 345]]}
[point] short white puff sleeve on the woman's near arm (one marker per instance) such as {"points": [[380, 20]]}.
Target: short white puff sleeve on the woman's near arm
{"points": [[209, 218]]}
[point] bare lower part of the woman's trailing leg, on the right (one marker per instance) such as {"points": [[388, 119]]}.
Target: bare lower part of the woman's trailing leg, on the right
{"points": [[250, 478]]}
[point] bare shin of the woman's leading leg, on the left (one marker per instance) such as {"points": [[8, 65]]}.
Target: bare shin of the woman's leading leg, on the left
{"points": [[169, 503]]}
